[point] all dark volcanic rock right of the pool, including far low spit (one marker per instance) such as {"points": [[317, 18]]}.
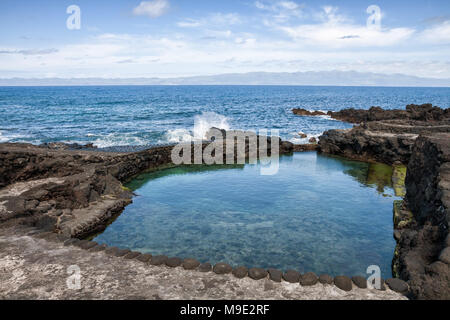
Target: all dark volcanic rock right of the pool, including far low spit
{"points": [[418, 137]]}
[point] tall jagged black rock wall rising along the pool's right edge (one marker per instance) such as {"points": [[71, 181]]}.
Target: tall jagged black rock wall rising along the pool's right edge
{"points": [[423, 237]]}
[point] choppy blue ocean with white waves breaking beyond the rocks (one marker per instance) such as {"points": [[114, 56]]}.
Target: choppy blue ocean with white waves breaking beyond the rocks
{"points": [[111, 116]]}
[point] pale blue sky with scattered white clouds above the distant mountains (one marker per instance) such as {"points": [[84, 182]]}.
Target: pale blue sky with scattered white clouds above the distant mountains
{"points": [[178, 38]]}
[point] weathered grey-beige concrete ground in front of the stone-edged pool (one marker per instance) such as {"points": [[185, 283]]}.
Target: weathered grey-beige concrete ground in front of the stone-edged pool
{"points": [[32, 268]]}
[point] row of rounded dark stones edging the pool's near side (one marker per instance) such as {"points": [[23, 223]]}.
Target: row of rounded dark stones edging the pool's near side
{"points": [[291, 276]]}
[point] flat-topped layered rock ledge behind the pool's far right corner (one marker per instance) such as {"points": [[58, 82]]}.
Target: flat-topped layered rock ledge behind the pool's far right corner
{"points": [[389, 140]]}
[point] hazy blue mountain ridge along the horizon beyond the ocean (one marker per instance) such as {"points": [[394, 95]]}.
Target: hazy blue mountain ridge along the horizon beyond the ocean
{"points": [[319, 78]]}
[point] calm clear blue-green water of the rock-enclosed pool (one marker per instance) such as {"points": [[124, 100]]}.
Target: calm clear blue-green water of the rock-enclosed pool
{"points": [[319, 213]]}
